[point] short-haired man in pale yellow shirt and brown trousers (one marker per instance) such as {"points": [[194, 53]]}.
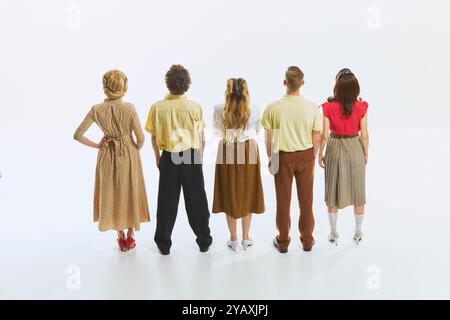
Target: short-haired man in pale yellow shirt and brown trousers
{"points": [[293, 127]]}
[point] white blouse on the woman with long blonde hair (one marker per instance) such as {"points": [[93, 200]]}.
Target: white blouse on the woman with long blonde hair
{"points": [[238, 135]]}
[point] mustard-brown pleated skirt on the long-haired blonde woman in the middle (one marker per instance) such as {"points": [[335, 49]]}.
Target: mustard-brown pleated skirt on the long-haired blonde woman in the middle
{"points": [[238, 189]]}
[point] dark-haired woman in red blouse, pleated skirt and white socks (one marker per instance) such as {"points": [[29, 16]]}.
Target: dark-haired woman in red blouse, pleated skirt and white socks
{"points": [[346, 138]]}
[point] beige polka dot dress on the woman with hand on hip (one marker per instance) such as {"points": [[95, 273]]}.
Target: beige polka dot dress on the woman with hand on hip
{"points": [[120, 199]]}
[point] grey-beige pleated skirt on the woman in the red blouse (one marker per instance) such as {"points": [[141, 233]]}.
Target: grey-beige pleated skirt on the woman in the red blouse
{"points": [[345, 172]]}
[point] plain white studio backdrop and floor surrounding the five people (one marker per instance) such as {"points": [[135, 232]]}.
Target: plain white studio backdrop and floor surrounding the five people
{"points": [[53, 54]]}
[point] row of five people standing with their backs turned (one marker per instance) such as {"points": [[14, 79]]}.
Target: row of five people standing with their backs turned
{"points": [[297, 132]]}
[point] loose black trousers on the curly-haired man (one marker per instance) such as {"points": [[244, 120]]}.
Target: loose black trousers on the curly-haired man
{"points": [[182, 169]]}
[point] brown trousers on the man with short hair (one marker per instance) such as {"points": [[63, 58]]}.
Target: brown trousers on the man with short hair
{"points": [[299, 164]]}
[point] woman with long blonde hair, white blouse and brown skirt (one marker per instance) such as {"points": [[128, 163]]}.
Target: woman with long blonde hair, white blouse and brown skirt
{"points": [[238, 188]]}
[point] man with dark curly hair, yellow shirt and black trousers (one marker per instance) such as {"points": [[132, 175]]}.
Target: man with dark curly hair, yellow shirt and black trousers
{"points": [[176, 125]]}
